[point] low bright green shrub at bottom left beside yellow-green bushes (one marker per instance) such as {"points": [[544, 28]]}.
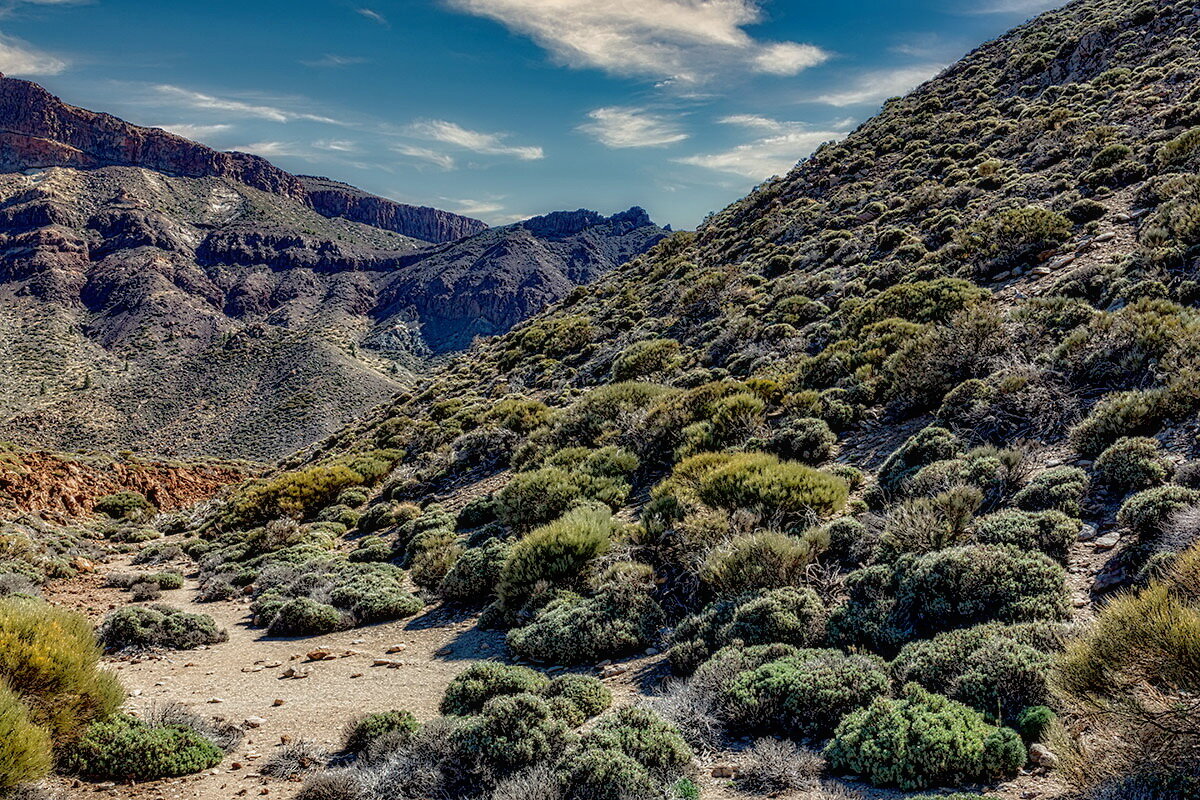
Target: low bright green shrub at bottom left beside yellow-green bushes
{"points": [[124, 748]]}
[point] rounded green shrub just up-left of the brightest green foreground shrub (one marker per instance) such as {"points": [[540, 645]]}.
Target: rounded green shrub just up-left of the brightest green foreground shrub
{"points": [[806, 695]]}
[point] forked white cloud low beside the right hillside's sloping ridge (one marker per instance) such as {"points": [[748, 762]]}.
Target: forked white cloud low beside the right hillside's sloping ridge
{"points": [[771, 155]]}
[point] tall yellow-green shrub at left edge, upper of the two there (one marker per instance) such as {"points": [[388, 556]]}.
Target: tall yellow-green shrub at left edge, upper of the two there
{"points": [[51, 660]]}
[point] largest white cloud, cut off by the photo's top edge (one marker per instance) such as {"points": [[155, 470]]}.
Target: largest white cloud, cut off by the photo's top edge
{"points": [[682, 41]]}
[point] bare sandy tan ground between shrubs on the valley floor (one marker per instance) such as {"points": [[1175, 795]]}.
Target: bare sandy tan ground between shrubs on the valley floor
{"points": [[251, 681]]}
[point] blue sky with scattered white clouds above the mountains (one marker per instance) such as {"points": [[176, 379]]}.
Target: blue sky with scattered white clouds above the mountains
{"points": [[505, 109]]}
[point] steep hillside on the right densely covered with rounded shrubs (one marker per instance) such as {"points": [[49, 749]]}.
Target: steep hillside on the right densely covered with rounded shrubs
{"points": [[896, 459]]}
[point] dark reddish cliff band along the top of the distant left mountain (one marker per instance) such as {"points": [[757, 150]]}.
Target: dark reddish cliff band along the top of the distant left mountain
{"points": [[38, 130]]}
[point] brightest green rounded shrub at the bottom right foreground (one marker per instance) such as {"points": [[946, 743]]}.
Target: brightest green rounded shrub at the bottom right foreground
{"points": [[922, 739]]}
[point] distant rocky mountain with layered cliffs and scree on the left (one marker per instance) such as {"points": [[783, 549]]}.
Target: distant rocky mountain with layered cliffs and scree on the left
{"points": [[160, 296]]}
